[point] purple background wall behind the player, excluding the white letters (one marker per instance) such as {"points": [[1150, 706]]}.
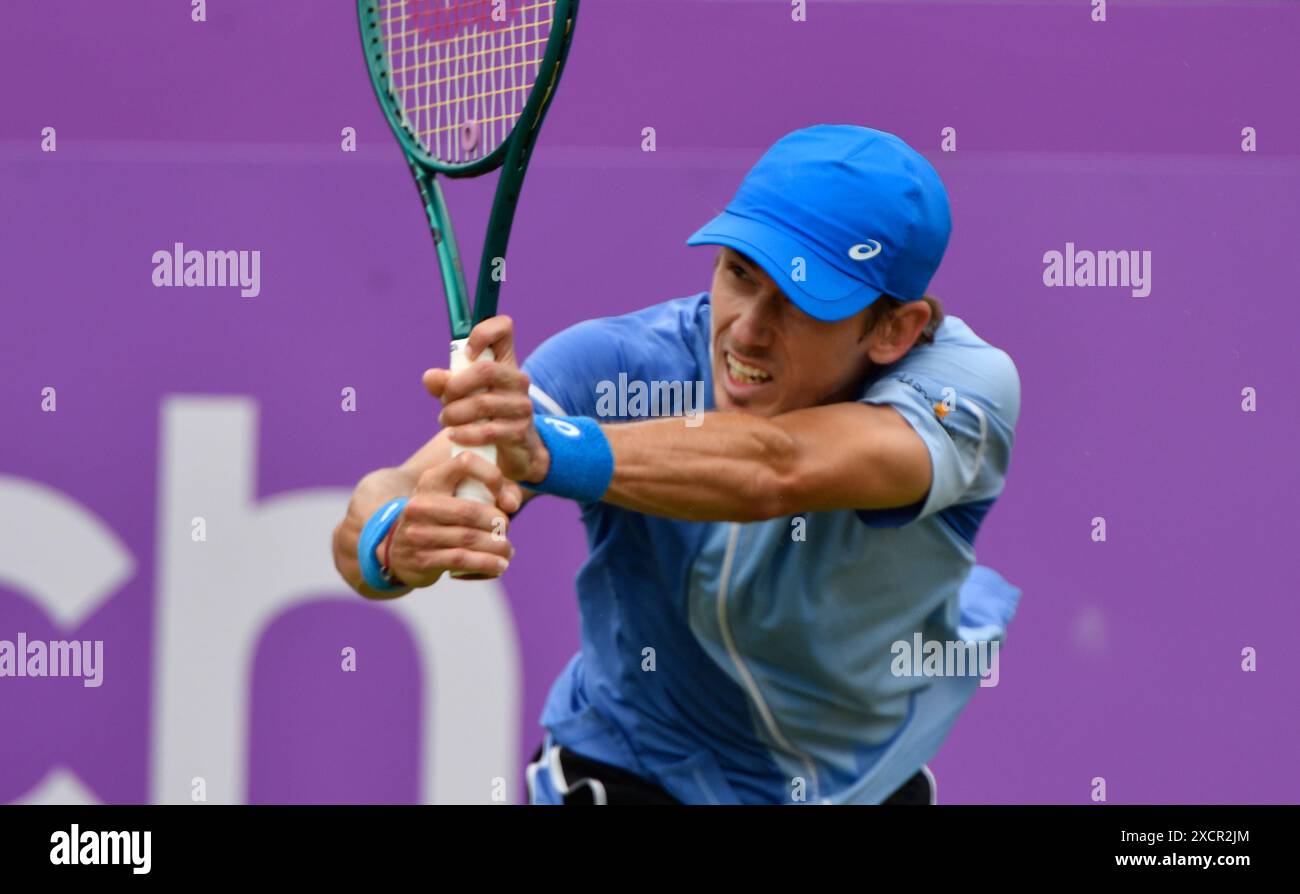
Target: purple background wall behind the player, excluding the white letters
{"points": [[1125, 661]]}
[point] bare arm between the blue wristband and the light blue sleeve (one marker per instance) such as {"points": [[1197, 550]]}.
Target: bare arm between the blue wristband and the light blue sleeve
{"points": [[738, 467]]}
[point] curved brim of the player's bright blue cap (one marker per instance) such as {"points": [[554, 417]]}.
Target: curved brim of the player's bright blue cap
{"points": [[825, 293]]}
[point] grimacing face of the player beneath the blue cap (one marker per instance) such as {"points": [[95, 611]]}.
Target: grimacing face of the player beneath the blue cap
{"points": [[772, 358]]}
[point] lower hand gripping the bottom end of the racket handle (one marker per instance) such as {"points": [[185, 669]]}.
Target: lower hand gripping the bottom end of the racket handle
{"points": [[440, 533]]}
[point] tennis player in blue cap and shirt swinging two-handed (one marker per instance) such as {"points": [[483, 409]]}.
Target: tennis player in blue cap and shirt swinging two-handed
{"points": [[755, 568]]}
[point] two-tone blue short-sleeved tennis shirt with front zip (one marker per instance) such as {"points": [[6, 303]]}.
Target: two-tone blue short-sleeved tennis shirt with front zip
{"points": [[756, 663]]}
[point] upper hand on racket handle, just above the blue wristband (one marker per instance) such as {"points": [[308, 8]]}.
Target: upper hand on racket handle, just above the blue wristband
{"points": [[488, 403]]}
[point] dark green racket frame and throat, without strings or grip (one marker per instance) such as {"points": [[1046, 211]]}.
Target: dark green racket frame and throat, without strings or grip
{"points": [[512, 157]]}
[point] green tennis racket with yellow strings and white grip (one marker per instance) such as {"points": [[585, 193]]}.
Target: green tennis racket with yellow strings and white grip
{"points": [[465, 85]]}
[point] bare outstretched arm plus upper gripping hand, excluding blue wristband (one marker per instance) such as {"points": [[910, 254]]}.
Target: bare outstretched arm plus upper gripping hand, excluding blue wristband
{"points": [[734, 467]]}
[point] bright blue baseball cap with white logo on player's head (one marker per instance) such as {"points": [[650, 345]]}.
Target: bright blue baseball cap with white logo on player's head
{"points": [[866, 214]]}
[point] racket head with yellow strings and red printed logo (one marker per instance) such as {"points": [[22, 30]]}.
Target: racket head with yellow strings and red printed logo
{"points": [[457, 81]]}
